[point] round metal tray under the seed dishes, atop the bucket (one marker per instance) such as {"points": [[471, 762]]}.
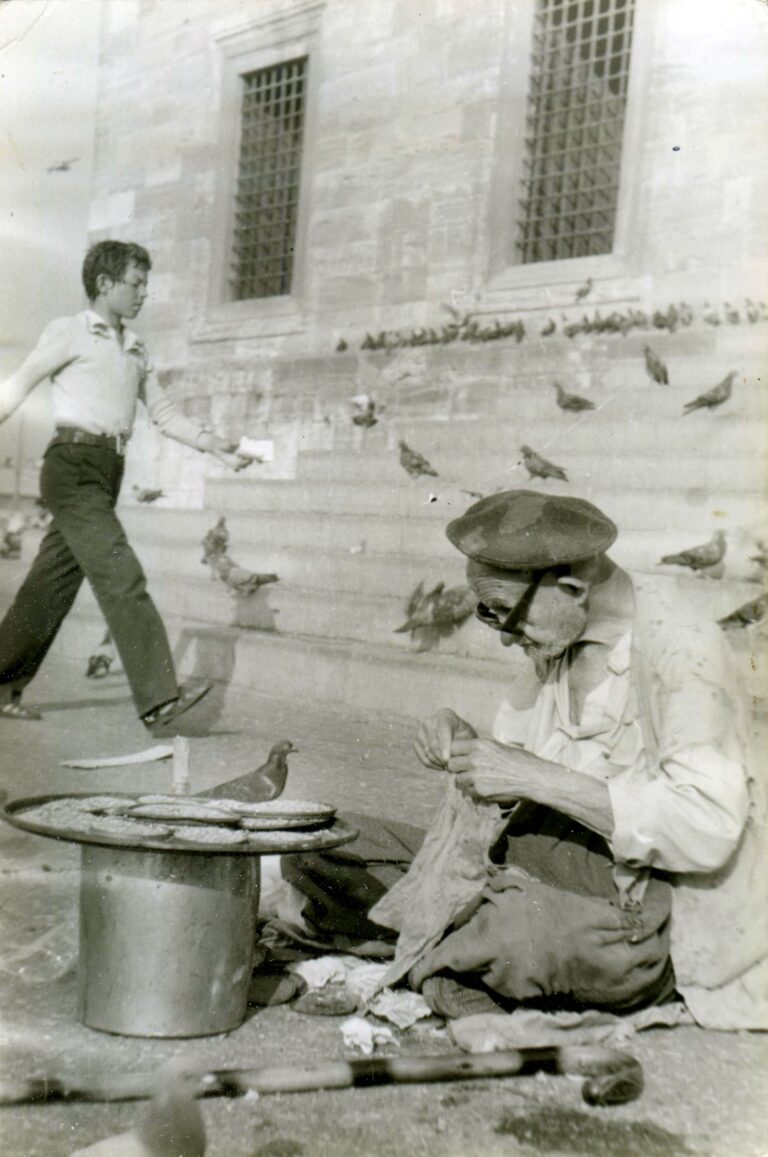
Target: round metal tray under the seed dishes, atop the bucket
{"points": [[335, 835]]}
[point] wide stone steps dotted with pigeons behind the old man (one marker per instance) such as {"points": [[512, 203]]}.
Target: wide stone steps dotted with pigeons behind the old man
{"points": [[351, 535]]}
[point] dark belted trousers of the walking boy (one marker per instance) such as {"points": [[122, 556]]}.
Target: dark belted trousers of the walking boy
{"points": [[80, 484]]}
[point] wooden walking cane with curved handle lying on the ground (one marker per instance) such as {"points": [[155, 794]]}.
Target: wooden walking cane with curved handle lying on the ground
{"points": [[614, 1078]]}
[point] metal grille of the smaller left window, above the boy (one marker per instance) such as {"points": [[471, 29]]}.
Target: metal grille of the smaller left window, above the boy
{"points": [[267, 201]]}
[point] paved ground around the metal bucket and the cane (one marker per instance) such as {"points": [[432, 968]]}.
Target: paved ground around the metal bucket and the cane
{"points": [[705, 1092]]}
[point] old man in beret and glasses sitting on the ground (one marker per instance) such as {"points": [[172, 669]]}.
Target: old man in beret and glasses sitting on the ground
{"points": [[600, 850]]}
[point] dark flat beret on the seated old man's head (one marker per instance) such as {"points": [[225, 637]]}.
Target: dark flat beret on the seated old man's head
{"points": [[525, 530]]}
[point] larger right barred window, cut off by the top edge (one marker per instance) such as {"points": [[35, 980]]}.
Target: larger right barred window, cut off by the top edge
{"points": [[575, 122]]}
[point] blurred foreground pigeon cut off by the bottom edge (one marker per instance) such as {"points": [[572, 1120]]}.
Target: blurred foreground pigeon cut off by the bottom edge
{"points": [[171, 1126]]}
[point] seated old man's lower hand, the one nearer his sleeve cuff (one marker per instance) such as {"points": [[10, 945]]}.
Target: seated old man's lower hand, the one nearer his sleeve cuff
{"points": [[496, 773]]}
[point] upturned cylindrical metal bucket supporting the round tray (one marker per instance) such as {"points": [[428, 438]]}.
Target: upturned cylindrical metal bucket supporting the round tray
{"points": [[166, 941]]}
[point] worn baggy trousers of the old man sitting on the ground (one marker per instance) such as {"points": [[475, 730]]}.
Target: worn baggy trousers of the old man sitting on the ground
{"points": [[559, 938]]}
